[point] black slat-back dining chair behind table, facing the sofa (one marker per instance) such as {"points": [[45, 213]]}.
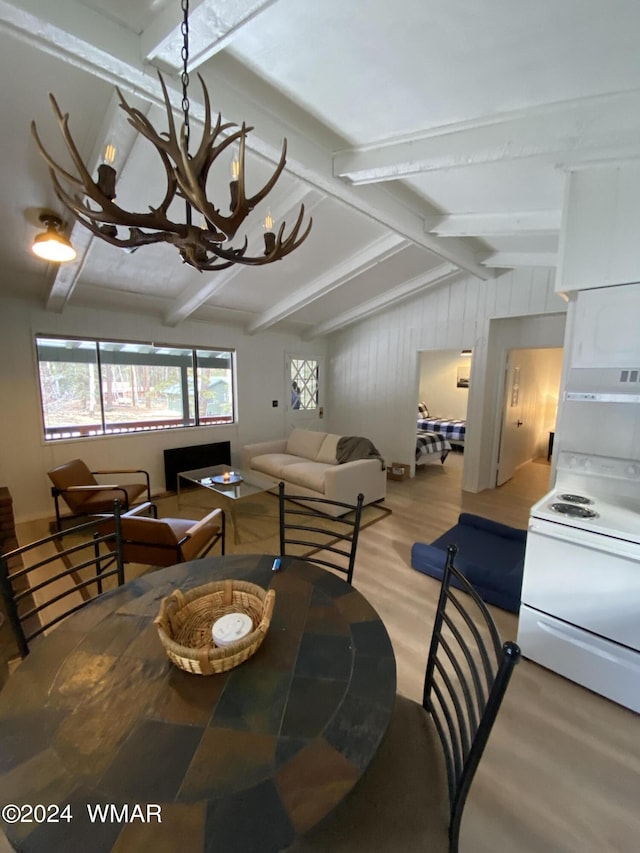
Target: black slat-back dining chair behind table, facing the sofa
{"points": [[308, 532]]}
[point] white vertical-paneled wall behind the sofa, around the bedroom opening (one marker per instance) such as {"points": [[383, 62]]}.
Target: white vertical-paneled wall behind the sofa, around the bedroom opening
{"points": [[374, 365]]}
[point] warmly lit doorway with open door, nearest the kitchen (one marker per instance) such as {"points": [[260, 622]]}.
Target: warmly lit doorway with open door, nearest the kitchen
{"points": [[530, 391]]}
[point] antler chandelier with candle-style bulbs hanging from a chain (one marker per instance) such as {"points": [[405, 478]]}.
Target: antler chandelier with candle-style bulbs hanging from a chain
{"points": [[205, 248]]}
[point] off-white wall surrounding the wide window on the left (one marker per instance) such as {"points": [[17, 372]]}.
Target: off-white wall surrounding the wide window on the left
{"points": [[24, 456]]}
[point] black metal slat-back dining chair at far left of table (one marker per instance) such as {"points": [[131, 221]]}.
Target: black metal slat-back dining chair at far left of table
{"points": [[47, 580]]}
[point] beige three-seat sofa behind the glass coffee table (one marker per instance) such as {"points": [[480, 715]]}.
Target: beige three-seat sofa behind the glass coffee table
{"points": [[306, 462]]}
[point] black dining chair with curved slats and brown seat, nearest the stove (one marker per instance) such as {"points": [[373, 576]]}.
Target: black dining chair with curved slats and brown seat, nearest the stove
{"points": [[413, 795]]}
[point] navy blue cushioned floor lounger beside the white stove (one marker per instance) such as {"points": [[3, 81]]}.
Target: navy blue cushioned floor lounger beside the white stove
{"points": [[490, 555]]}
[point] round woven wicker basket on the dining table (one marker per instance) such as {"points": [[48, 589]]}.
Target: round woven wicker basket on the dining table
{"points": [[186, 618]]}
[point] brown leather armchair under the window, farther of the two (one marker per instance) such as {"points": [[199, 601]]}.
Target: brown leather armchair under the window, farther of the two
{"points": [[85, 496]]}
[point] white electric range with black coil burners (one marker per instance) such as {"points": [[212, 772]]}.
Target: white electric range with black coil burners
{"points": [[580, 613]]}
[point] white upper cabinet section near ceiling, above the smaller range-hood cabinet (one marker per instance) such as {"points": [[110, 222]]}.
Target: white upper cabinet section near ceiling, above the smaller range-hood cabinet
{"points": [[600, 235]]}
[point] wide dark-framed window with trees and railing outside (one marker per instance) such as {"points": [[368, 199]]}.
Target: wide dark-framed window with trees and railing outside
{"points": [[91, 388]]}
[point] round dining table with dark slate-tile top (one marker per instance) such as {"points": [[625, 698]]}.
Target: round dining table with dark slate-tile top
{"points": [[105, 745]]}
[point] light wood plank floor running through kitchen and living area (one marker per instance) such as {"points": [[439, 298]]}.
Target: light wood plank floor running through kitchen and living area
{"points": [[561, 773]]}
